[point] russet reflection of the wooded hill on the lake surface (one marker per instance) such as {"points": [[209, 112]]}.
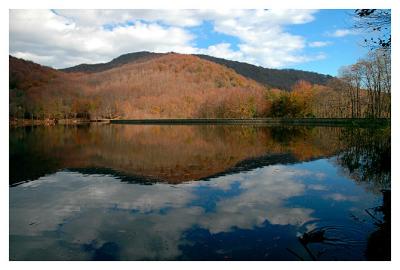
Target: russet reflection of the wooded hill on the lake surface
{"points": [[171, 154]]}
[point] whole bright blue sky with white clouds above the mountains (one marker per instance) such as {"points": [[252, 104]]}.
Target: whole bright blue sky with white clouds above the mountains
{"points": [[313, 40]]}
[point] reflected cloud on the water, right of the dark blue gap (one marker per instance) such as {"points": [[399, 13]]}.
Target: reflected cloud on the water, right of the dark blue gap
{"points": [[263, 195]]}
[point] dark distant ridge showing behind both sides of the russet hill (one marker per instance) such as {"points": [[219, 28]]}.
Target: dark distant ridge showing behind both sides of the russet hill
{"points": [[274, 78]]}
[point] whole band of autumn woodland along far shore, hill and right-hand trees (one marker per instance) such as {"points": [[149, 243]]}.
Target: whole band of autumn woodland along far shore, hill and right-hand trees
{"points": [[187, 86]]}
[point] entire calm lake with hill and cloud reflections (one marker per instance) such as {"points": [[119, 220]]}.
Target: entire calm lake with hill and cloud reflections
{"points": [[199, 192]]}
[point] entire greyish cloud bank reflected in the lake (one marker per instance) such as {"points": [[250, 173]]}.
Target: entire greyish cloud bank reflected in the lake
{"points": [[89, 209]]}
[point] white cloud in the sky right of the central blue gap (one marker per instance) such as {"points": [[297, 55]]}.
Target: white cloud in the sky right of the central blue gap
{"points": [[263, 40]]}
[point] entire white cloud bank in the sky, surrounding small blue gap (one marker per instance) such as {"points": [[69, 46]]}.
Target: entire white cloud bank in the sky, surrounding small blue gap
{"points": [[63, 38]]}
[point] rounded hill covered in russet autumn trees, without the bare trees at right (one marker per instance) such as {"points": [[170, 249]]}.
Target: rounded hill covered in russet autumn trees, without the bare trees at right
{"points": [[167, 86]]}
